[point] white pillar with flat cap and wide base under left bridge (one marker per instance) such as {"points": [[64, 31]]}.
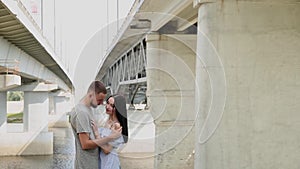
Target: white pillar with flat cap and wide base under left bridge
{"points": [[35, 139]]}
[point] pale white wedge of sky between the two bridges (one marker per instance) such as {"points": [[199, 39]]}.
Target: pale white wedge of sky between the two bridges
{"points": [[79, 32]]}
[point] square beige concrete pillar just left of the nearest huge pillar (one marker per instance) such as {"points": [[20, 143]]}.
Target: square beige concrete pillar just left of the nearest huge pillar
{"points": [[170, 92]]}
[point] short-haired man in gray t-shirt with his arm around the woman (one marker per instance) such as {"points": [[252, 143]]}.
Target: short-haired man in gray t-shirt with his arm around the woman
{"points": [[86, 144]]}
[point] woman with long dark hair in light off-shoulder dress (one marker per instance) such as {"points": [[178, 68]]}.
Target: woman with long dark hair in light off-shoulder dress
{"points": [[116, 109]]}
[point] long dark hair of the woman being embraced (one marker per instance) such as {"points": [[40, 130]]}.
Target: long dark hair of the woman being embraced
{"points": [[121, 113]]}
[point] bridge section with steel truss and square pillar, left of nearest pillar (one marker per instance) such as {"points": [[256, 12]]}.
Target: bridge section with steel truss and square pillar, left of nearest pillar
{"points": [[156, 52]]}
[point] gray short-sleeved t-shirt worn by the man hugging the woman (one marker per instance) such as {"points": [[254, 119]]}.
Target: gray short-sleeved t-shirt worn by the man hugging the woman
{"points": [[80, 119]]}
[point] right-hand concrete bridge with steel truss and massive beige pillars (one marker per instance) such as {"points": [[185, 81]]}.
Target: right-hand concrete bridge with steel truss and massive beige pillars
{"points": [[221, 79]]}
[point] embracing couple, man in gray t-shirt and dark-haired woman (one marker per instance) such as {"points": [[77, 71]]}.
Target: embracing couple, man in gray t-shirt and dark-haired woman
{"points": [[96, 148]]}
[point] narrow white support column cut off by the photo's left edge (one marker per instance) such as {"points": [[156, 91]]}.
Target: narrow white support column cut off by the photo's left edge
{"points": [[3, 111]]}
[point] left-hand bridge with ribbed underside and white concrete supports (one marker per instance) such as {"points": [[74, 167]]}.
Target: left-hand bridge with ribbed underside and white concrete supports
{"points": [[30, 64]]}
